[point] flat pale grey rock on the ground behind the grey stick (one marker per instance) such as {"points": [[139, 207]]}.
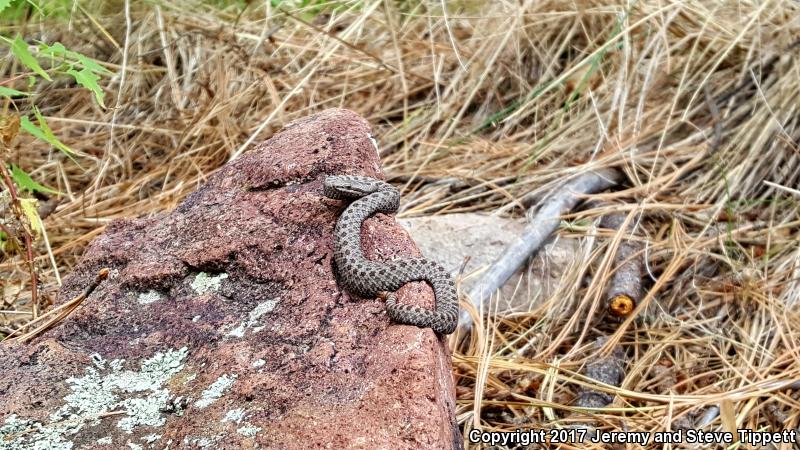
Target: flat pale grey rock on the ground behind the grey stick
{"points": [[451, 239]]}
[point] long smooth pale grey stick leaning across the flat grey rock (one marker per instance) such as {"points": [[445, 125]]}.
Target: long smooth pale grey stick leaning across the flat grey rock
{"points": [[544, 222]]}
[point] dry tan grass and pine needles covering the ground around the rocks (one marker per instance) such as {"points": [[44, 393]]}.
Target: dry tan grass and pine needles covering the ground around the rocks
{"points": [[485, 108]]}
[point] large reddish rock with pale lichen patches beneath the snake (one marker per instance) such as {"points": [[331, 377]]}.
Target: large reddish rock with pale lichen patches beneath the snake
{"points": [[221, 325]]}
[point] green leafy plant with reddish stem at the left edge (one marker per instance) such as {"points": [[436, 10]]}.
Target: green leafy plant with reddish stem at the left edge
{"points": [[32, 64]]}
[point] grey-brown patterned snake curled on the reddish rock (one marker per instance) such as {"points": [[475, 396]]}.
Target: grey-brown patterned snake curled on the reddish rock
{"points": [[373, 279]]}
